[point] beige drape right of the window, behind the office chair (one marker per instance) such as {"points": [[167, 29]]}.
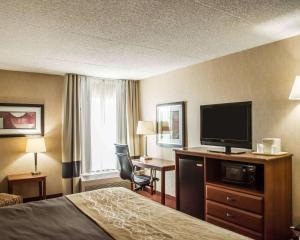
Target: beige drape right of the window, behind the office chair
{"points": [[133, 116]]}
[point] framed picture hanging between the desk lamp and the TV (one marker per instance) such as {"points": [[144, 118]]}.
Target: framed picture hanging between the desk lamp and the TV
{"points": [[170, 125]]}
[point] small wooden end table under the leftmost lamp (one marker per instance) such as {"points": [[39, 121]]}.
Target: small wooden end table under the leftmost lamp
{"points": [[25, 178]]}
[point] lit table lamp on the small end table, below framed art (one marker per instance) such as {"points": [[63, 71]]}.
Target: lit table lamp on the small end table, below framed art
{"points": [[35, 145]]}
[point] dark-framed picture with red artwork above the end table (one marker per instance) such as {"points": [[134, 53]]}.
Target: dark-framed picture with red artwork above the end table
{"points": [[21, 120]]}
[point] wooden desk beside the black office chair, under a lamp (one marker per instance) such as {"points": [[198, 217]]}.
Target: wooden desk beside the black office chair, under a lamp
{"points": [[160, 165]]}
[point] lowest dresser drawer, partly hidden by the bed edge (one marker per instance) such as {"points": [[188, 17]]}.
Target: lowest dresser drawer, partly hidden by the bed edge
{"points": [[233, 227]]}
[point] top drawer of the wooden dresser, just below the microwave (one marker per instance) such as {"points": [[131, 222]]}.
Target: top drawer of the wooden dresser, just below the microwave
{"points": [[236, 199]]}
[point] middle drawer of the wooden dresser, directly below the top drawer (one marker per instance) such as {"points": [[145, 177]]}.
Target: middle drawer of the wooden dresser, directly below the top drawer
{"points": [[234, 215]]}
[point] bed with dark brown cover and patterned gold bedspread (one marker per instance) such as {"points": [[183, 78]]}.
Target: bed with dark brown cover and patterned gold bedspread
{"points": [[113, 213]]}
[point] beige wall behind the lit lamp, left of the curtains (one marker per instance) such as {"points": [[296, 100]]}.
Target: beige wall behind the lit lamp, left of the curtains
{"points": [[19, 87]]}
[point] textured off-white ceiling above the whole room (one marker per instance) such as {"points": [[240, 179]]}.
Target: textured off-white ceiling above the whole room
{"points": [[135, 39]]}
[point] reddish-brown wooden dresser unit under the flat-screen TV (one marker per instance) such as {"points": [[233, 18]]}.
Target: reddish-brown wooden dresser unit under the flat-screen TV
{"points": [[264, 212]]}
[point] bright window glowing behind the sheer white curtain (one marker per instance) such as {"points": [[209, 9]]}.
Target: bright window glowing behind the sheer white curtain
{"points": [[103, 125]]}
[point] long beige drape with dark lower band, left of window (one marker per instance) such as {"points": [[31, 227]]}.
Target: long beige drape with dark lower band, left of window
{"points": [[71, 145]]}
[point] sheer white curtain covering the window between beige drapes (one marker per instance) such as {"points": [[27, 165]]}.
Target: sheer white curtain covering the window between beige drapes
{"points": [[104, 113]]}
